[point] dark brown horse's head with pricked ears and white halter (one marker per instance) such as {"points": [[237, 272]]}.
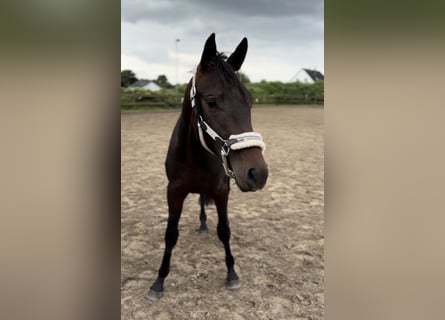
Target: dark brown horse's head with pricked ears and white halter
{"points": [[224, 105]]}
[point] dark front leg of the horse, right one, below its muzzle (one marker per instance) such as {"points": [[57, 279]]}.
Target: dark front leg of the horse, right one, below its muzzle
{"points": [[223, 229]]}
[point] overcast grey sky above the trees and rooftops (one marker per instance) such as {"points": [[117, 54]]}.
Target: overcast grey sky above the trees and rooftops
{"points": [[284, 36]]}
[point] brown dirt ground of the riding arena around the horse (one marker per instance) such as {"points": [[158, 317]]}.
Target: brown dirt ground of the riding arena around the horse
{"points": [[277, 233]]}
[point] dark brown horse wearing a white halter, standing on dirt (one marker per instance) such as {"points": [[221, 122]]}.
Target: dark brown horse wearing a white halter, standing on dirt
{"points": [[212, 142]]}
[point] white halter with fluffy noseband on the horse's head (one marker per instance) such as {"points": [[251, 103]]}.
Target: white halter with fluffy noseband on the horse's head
{"points": [[235, 142]]}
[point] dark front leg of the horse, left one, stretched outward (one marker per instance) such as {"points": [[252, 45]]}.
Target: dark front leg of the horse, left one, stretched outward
{"points": [[175, 201]]}
